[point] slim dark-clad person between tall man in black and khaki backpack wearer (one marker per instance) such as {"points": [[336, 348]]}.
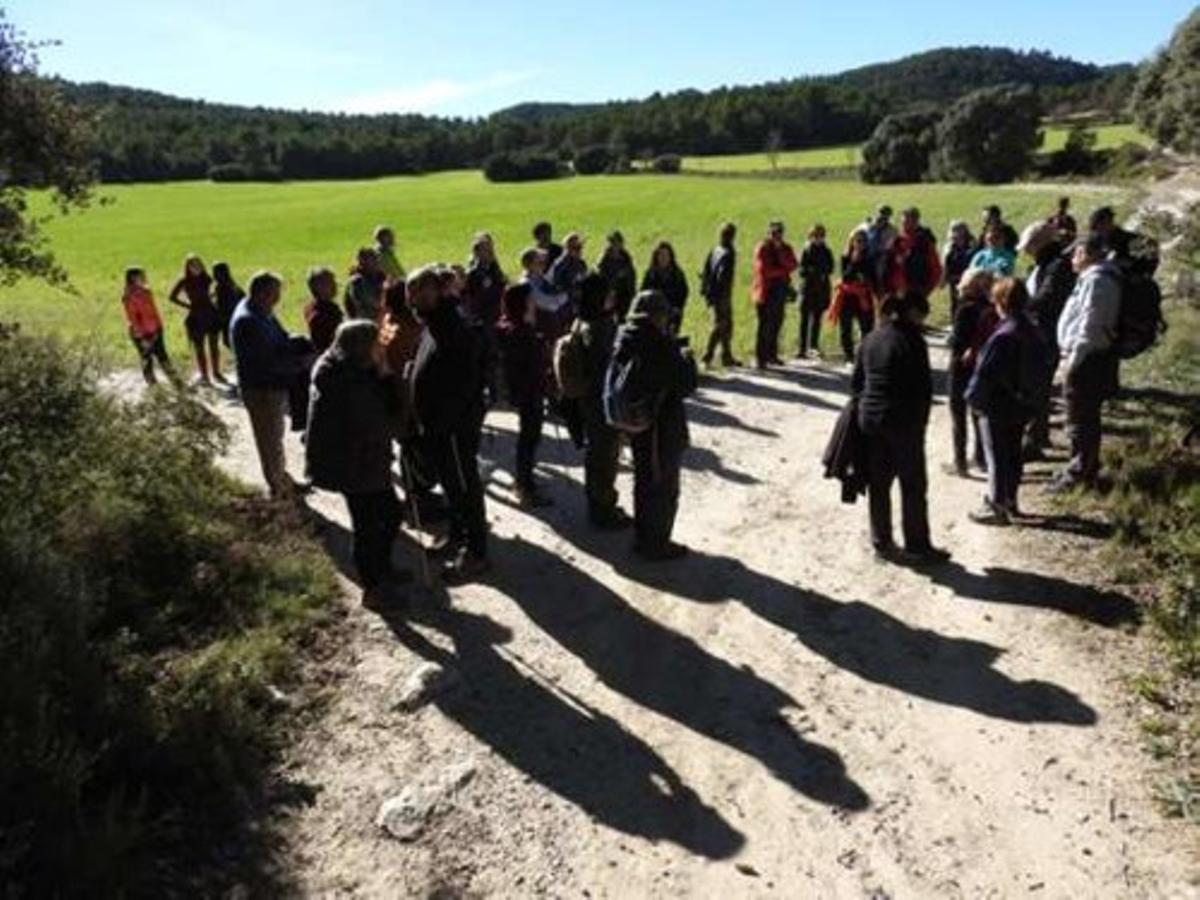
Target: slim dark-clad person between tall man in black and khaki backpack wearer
{"points": [[525, 369]]}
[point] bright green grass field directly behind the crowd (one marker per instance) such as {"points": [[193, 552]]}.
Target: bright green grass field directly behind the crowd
{"points": [[293, 226]]}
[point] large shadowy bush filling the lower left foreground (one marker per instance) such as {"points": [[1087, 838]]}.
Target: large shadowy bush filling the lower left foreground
{"points": [[146, 613]]}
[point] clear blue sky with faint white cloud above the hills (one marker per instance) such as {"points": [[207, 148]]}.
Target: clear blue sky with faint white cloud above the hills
{"points": [[457, 58]]}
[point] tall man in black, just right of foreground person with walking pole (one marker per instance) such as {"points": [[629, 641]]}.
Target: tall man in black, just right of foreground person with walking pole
{"points": [[448, 401]]}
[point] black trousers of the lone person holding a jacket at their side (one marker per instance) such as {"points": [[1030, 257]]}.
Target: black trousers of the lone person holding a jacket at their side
{"points": [[898, 453]]}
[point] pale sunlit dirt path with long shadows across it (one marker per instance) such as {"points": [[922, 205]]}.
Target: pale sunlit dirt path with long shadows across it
{"points": [[779, 715]]}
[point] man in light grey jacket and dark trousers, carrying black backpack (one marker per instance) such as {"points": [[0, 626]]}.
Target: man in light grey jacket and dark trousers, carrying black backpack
{"points": [[1087, 332]]}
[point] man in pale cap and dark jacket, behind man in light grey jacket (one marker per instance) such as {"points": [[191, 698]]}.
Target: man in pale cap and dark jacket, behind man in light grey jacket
{"points": [[1049, 286]]}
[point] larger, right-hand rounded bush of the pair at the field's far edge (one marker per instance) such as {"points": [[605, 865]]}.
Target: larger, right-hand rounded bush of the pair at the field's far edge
{"points": [[989, 136]]}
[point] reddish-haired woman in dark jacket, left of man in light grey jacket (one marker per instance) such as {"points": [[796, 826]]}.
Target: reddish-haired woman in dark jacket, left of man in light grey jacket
{"points": [[1004, 392]]}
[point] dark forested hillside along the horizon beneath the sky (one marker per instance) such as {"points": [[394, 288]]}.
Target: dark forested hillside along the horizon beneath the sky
{"points": [[146, 136]]}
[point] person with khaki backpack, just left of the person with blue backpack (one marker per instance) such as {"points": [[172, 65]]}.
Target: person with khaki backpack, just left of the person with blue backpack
{"points": [[597, 331]]}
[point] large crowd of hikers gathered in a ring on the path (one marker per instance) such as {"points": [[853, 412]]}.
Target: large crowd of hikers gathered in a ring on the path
{"points": [[406, 368]]}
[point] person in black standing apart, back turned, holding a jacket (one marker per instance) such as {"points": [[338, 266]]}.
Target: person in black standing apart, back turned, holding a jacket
{"points": [[893, 385]]}
